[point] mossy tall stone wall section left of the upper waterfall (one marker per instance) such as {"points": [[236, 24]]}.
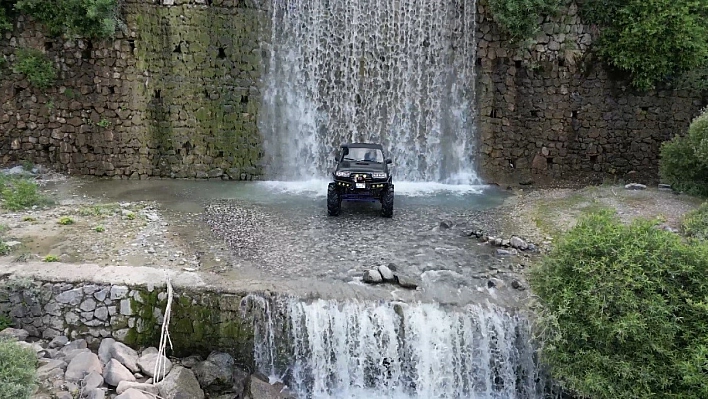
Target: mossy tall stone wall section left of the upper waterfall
{"points": [[175, 94]]}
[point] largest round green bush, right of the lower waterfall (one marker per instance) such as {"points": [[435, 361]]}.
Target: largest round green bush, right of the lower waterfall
{"points": [[623, 311]]}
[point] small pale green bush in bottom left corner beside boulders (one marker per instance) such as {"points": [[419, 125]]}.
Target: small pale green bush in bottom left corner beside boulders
{"points": [[17, 370]]}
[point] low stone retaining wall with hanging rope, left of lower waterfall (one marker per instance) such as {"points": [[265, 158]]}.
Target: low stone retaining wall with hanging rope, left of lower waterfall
{"points": [[200, 322]]}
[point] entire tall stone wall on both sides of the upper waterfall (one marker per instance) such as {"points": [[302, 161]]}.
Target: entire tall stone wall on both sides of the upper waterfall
{"points": [[177, 94]]}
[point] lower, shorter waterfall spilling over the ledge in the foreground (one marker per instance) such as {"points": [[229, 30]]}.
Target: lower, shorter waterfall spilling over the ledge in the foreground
{"points": [[381, 350]]}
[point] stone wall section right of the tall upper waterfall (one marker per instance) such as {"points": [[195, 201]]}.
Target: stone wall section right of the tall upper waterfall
{"points": [[549, 112]]}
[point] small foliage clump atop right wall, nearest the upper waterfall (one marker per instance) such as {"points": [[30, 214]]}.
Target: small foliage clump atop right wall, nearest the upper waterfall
{"points": [[519, 18]]}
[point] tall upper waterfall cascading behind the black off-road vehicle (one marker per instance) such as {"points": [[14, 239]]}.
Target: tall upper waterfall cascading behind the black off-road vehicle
{"points": [[398, 72]]}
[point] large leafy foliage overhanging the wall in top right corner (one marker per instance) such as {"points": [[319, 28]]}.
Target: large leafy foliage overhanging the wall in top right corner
{"points": [[653, 40]]}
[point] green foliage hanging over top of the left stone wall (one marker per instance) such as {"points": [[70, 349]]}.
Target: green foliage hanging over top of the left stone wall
{"points": [[83, 18]]}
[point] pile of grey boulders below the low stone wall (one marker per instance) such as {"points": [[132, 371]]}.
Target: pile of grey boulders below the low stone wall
{"points": [[110, 369]]}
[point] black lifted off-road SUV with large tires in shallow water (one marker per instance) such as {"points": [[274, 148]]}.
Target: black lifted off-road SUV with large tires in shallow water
{"points": [[361, 174]]}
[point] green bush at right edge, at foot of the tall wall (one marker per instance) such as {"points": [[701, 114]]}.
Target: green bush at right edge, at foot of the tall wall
{"points": [[684, 159]]}
